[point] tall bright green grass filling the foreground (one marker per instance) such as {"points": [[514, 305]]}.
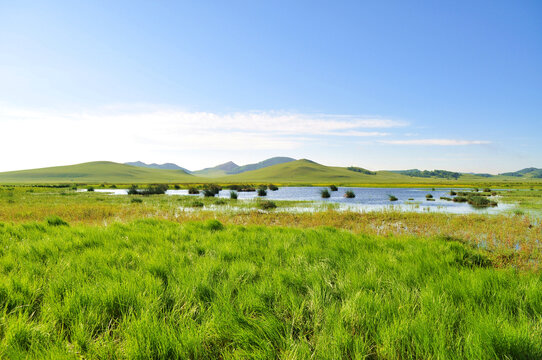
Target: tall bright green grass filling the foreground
{"points": [[159, 290]]}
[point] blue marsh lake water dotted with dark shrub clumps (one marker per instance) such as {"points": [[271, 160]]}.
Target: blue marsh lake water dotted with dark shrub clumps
{"points": [[367, 199]]}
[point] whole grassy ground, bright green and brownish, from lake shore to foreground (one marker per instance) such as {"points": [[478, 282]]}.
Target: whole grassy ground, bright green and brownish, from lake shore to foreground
{"points": [[261, 282]]}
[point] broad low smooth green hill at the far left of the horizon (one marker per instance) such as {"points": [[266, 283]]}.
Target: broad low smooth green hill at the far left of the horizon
{"points": [[96, 172]]}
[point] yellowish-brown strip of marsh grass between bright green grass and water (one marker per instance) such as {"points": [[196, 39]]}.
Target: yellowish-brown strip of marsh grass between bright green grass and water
{"points": [[510, 238]]}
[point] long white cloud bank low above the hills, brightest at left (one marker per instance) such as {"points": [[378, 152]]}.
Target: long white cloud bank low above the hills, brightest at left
{"points": [[46, 137]]}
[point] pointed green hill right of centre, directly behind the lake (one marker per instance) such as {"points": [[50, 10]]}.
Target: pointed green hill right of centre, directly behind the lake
{"points": [[307, 171]]}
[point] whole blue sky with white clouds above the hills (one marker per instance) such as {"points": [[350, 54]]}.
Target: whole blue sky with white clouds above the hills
{"points": [[384, 85]]}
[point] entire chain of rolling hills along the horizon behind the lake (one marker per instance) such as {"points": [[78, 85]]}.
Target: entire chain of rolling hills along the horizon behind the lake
{"points": [[289, 172]]}
